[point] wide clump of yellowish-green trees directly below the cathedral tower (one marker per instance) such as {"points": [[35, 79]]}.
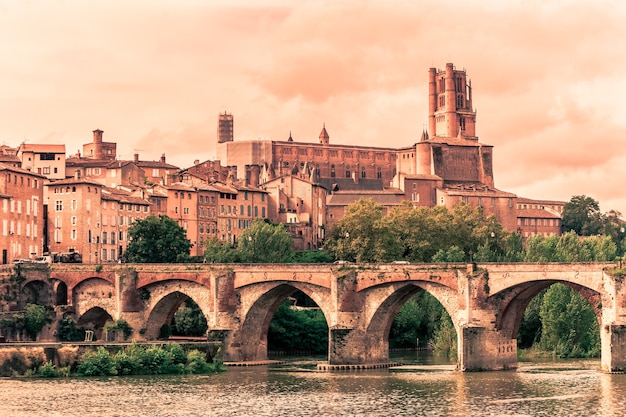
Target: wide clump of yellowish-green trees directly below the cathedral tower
{"points": [[419, 234]]}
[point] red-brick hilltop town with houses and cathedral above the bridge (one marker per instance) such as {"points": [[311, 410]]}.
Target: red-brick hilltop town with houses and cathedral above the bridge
{"points": [[85, 203]]}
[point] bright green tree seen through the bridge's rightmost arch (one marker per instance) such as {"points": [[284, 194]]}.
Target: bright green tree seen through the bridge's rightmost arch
{"points": [[569, 324]]}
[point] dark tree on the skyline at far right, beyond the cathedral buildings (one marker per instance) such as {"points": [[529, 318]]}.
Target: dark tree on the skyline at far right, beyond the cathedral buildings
{"points": [[582, 215]]}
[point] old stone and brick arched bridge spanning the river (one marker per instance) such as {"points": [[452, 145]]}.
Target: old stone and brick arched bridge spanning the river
{"points": [[485, 301]]}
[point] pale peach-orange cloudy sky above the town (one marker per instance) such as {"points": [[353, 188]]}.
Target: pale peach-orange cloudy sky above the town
{"points": [[548, 77]]}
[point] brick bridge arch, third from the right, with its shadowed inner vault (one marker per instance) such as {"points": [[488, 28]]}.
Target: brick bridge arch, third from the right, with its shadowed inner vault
{"points": [[259, 303]]}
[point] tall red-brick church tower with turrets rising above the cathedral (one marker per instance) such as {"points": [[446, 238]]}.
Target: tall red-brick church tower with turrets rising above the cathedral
{"points": [[450, 110]]}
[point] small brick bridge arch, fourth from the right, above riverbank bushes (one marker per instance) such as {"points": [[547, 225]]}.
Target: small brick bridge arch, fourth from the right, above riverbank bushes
{"points": [[165, 299]]}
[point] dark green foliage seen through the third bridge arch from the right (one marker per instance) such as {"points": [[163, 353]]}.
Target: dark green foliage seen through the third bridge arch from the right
{"points": [[298, 329]]}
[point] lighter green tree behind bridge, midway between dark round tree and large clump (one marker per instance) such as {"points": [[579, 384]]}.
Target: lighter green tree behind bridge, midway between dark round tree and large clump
{"points": [[266, 242]]}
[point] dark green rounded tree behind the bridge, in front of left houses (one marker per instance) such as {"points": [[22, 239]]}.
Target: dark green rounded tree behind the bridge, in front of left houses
{"points": [[157, 240]]}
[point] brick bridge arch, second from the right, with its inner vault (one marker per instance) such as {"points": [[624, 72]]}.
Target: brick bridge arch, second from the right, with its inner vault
{"points": [[386, 302]]}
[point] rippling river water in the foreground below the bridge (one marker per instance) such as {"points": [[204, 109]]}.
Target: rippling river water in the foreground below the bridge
{"points": [[422, 388]]}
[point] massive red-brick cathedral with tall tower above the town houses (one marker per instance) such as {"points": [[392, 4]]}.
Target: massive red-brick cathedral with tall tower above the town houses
{"points": [[448, 166]]}
